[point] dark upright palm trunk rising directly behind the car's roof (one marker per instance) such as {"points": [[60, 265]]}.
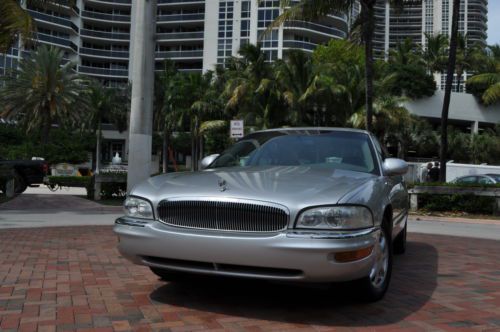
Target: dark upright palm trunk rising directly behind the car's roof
{"points": [[367, 15]]}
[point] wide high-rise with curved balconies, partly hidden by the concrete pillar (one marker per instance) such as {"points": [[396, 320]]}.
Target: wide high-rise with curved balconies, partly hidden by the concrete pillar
{"points": [[195, 34]]}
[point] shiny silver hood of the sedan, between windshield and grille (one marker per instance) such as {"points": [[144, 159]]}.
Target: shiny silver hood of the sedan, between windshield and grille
{"points": [[287, 185]]}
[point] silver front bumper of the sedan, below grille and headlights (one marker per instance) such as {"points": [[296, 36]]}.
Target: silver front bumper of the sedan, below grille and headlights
{"points": [[290, 255]]}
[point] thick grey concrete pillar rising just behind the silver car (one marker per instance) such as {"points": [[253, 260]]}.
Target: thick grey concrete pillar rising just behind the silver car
{"points": [[142, 63]]}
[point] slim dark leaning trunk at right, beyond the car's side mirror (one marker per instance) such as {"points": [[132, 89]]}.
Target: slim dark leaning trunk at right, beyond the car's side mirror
{"points": [[447, 93]]}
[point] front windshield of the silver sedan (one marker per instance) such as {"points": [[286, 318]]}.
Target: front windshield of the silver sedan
{"points": [[336, 149]]}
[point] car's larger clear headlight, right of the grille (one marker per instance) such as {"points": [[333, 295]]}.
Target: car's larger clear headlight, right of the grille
{"points": [[336, 218]]}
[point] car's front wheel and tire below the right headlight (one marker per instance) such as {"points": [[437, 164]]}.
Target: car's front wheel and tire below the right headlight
{"points": [[374, 286]]}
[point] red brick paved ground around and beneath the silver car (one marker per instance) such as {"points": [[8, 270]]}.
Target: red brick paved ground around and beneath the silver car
{"points": [[73, 279]]}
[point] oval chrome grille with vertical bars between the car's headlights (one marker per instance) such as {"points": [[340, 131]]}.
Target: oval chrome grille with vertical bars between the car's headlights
{"points": [[224, 216]]}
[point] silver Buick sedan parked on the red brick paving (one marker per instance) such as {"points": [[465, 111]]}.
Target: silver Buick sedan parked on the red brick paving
{"points": [[301, 204]]}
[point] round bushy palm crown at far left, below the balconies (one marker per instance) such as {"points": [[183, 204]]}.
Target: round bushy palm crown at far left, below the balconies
{"points": [[43, 91]]}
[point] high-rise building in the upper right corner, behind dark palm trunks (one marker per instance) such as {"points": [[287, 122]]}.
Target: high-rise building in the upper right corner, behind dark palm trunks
{"points": [[432, 17]]}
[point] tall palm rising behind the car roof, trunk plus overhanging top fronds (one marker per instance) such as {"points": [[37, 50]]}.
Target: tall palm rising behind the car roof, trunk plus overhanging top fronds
{"points": [[314, 9]]}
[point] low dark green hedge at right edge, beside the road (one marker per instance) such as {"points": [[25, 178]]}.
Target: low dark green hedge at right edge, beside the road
{"points": [[459, 202]]}
